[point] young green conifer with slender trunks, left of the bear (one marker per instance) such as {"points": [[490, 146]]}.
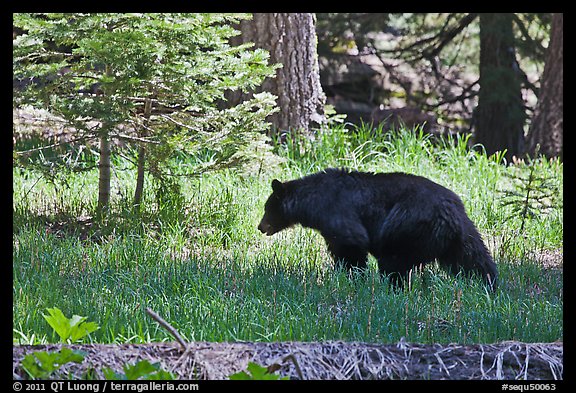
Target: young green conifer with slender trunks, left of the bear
{"points": [[152, 80]]}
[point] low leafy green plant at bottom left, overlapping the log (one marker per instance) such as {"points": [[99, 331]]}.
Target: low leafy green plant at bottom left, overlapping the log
{"points": [[41, 364]]}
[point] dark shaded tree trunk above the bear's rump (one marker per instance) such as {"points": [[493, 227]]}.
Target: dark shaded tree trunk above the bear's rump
{"points": [[500, 115]]}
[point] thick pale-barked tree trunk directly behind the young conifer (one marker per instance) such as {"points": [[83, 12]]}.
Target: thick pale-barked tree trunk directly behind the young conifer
{"points": [[291, 40]]}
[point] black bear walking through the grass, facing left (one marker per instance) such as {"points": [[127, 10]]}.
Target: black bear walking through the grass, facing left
{"points": [[403, 220]]}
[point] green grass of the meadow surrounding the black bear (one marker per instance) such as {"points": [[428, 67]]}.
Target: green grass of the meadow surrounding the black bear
{"points": [[203, 266]]}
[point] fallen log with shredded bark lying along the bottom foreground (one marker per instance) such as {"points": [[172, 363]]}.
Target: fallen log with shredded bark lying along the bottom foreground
{"points": [[319, 360]]}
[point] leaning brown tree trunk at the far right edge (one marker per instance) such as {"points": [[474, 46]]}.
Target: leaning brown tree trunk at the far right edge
{"points": [[547, 127]]}
